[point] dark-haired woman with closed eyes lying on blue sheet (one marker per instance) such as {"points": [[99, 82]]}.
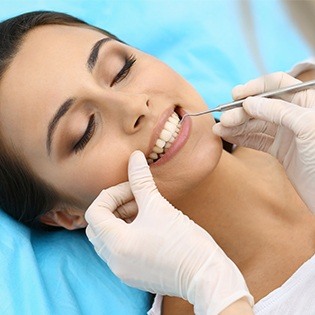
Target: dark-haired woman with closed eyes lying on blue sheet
{"points": [[66, 137]]}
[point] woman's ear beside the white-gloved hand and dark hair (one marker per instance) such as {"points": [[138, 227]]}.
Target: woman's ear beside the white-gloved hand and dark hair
{"points": [[70, 219]]}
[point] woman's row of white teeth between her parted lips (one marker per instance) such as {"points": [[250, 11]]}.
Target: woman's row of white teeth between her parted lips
{"points": [[167, 137]]}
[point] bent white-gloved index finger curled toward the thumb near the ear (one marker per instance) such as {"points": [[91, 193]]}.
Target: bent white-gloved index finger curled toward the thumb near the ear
{"points": [[106, 203]]}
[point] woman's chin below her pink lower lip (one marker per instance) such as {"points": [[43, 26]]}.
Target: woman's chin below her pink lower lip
{"points": [[192, 165]]}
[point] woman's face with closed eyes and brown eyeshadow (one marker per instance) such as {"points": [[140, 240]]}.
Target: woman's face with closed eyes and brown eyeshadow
{"points": [[76, 104]]}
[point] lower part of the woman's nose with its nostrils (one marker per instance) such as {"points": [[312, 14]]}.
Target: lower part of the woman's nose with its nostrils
{"points": [[129, 110]]}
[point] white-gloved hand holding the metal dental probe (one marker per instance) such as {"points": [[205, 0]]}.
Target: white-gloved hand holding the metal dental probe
{"points": [[284, 128]]}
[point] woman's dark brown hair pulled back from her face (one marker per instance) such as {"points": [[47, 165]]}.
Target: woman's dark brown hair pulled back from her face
{"points": [[23, 195]]}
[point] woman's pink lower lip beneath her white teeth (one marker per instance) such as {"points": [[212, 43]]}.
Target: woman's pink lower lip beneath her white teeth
{"points": [[179, 141]]}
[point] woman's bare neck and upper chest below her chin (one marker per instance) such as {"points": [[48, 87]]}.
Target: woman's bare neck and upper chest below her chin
{"points": [[250, 208]]}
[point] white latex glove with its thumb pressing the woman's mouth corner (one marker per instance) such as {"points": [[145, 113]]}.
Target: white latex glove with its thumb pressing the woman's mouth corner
{"points": [[162, 250]]}
